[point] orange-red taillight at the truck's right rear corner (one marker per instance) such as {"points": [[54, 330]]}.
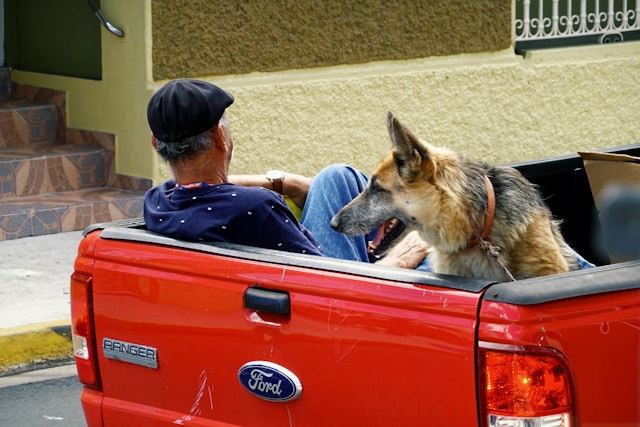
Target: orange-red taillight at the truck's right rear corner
{"points": [[524, 387]]}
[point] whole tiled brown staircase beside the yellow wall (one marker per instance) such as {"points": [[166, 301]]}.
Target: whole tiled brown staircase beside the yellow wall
{"points": [[52, 178]]}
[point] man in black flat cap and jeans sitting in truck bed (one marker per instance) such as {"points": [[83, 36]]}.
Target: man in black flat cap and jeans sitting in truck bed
{"points": [[203, 203]]}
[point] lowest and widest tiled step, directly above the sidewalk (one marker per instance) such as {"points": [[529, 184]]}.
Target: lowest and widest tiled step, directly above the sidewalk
{"points": [[66, 211]]}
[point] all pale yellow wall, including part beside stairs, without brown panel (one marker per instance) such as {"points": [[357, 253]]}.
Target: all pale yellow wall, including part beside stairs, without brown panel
{"points": [[494, 106]]}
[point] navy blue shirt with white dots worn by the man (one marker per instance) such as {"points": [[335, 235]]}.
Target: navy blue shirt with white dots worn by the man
{"points": [[226, 212]]}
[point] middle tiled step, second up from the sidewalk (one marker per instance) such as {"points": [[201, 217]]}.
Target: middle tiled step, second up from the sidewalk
{"points": [[50, 167]]}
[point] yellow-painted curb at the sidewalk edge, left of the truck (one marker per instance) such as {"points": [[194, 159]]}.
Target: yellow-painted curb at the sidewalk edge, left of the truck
{"points": [[35, 346]]}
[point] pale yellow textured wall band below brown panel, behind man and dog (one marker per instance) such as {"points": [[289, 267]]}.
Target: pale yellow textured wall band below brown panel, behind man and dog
{"points": [[495, 107]]}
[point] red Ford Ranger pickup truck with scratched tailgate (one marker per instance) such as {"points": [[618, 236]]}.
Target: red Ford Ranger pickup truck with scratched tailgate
{"points": [[168, 332]]}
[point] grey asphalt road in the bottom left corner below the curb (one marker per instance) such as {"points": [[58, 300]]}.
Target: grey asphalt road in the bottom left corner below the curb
{"points": [[48, 397]]}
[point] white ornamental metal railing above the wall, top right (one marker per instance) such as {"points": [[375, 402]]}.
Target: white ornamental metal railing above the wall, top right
{"points": [[549, 19]]}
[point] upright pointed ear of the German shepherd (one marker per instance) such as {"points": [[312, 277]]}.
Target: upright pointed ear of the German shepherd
{"points": [[412, 158]]}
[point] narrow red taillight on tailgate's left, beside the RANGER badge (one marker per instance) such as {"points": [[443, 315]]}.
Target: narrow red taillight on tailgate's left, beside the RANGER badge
{"points": [[82, 330]]}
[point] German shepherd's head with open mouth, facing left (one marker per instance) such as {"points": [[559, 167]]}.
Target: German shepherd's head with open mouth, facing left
{"points": [[405, 187]]}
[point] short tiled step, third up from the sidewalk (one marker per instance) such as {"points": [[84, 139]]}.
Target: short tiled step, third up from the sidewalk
{"points": [[24, 121]]}
